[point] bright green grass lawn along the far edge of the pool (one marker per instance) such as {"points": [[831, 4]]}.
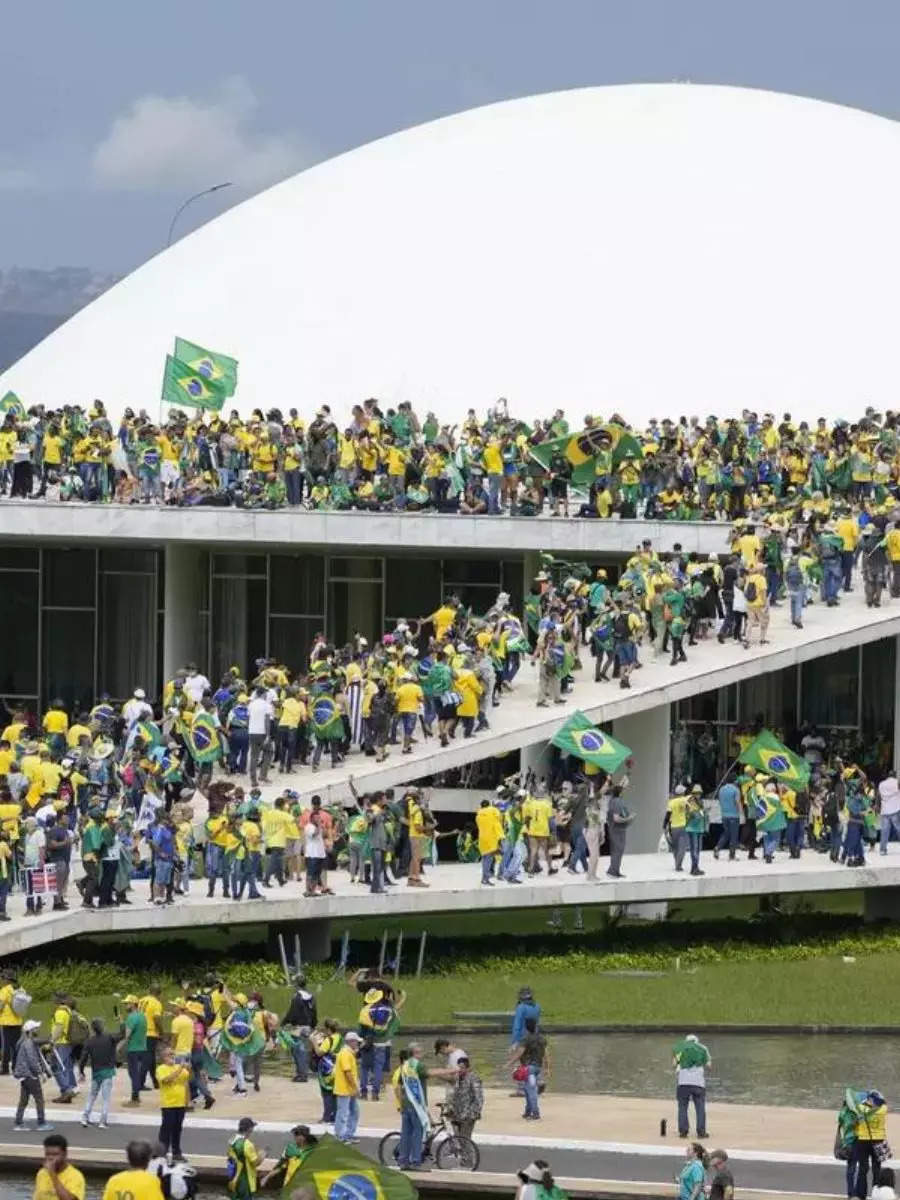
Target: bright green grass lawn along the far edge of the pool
{"points": [[824, 992]]}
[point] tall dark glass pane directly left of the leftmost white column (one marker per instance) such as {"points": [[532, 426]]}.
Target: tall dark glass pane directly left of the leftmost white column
{"points": [[128, 617]]}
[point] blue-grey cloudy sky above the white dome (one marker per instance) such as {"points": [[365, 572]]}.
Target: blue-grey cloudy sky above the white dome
{"points": [[115, 111]]}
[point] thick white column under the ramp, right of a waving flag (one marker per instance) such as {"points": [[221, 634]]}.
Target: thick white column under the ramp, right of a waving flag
{"points": [[647, 736]]}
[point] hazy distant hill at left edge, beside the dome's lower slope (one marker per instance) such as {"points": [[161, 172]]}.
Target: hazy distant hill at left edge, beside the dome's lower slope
{"points": [[34, 303]]}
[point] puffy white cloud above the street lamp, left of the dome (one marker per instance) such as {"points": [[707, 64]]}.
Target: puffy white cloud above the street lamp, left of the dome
{"points": [[177, 142]]}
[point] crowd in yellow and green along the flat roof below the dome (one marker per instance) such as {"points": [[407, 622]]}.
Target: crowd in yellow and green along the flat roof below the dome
{"points": [[392, 459]]}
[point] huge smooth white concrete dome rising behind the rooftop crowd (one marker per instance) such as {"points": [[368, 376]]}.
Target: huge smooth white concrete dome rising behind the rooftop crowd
{"points": [[652, 249]]}
